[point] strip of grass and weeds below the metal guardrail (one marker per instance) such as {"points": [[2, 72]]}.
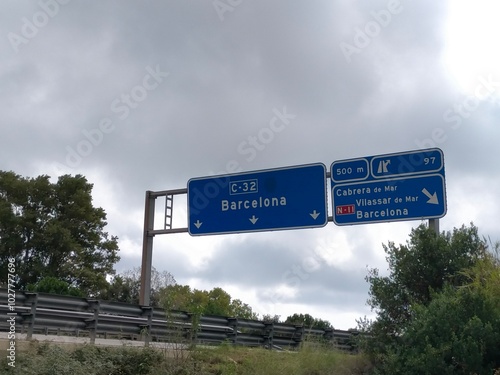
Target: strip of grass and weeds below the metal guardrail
{"points": [[52, 359]]}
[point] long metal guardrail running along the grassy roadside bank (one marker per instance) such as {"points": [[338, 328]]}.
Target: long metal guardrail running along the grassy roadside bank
{"points": [[65, 315]]}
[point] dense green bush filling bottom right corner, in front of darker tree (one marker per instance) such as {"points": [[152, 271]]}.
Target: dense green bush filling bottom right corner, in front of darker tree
{"points": [[458, 332]]}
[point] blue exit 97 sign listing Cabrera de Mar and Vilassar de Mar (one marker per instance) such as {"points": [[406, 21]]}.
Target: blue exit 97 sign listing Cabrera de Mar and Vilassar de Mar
{"points": [[392, 187]]}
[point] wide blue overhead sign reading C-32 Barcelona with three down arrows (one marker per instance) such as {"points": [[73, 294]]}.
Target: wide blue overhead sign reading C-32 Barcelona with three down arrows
{"points": [[285, 198]]}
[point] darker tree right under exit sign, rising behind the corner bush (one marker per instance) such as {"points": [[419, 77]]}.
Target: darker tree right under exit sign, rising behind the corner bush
{"points": [[418, 269]]}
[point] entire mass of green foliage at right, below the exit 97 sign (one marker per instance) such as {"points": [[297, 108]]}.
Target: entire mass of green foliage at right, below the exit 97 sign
{"points": [[454, 328]]}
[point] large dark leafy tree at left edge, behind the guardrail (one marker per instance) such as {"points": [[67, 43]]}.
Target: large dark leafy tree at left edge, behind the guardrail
{"points": [[53, 229]]}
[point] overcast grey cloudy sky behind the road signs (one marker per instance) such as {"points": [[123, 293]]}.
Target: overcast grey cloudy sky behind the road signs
{"points": [[144, 95]]}
